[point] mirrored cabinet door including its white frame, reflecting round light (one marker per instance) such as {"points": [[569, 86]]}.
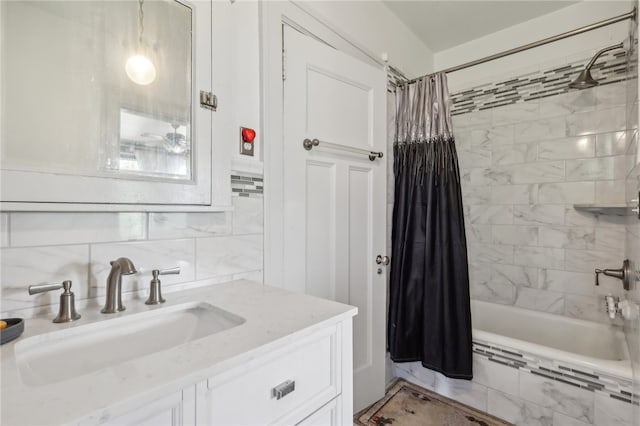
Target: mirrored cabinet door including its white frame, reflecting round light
{"points": [[99, 102]]}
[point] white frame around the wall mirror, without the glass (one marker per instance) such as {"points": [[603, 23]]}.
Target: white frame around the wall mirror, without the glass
{"points": [[45, 191]]}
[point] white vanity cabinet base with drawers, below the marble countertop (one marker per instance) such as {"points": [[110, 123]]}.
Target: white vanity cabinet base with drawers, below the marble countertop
{"points": [[314, 372]]}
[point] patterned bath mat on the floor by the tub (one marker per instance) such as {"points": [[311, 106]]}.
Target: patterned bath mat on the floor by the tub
{"points": [[406, 404]]}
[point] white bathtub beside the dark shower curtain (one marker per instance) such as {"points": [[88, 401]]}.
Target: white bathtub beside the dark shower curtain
{"points": [[587, 345]]}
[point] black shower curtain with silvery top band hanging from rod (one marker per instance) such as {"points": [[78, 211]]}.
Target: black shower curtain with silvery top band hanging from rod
{"points": [[429, 312]]}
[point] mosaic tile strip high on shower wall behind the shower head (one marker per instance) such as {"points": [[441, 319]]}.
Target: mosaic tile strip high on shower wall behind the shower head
{"points": [[610, 68]]}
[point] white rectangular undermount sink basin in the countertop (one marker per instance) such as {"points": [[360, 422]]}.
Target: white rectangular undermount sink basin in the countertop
{"points": [[65, 354]]}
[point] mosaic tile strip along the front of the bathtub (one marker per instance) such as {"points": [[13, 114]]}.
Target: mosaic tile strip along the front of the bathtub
{"points": [[617, 388]]}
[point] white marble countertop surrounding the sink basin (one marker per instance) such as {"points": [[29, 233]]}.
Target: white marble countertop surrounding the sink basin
{"points": [[273, 317]]}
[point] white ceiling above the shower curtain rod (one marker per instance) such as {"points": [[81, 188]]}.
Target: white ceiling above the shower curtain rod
{"points": [[442, 24]]}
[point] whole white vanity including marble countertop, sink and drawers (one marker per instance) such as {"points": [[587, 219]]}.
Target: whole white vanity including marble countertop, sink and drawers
{"points": [[288, 361]]}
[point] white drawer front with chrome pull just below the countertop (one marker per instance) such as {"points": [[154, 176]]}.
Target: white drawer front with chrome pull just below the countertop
{"points": [[309, 367]]}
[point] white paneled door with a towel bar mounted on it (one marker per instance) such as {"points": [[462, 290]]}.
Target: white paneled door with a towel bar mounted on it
{"points": [[334, 200]]}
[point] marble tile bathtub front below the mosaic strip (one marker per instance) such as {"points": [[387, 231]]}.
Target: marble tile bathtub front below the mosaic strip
{"points": [[518, 396]]}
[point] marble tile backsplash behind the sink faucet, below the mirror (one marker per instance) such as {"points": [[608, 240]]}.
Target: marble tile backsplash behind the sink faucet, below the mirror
{"points": [[38, 248]]}
